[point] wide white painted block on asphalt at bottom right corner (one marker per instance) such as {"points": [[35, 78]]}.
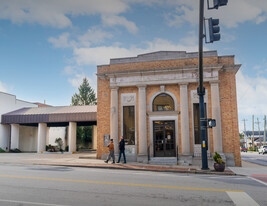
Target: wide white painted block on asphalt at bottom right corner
{"points": [[242, 198]]}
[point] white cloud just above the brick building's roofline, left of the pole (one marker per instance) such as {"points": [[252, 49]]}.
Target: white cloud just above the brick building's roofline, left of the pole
{"points": [[98, 55]]}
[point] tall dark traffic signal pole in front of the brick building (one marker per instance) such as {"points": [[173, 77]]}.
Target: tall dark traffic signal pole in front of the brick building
{"points": [[201, 90]]}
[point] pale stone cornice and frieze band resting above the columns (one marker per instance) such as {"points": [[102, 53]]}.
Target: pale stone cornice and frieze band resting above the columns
{"points": [[166, 76]]}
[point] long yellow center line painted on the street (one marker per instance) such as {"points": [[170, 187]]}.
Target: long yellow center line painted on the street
{"points": [[121, 184]]}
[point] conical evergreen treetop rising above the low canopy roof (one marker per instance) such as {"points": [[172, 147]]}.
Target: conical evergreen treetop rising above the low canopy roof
{"points": [[86, 95]]}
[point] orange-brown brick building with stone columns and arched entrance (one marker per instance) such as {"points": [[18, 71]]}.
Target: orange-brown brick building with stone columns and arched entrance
{"points": [[152, 101]]}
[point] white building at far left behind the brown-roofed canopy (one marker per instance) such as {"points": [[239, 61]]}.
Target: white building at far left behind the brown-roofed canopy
{"points": [[24, 137]]}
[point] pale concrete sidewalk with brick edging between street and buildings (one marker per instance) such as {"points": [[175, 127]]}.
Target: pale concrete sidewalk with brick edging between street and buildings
{"points": [[88, 160]]}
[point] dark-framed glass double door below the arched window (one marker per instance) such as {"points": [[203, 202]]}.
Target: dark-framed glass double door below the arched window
{"points": [[164, 140]]}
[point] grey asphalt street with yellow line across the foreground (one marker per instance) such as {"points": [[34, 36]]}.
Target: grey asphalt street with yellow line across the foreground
{"points": [[27, 185]]}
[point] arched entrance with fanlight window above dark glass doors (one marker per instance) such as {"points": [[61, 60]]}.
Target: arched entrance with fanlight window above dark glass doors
{"points": [[163, 120]]}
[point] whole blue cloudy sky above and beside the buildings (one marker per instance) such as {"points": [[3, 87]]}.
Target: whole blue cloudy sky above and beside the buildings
{"points": [[48, 46]]}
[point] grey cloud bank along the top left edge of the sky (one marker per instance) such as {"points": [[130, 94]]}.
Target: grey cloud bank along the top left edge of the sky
{"points": [[57, 13]]}
